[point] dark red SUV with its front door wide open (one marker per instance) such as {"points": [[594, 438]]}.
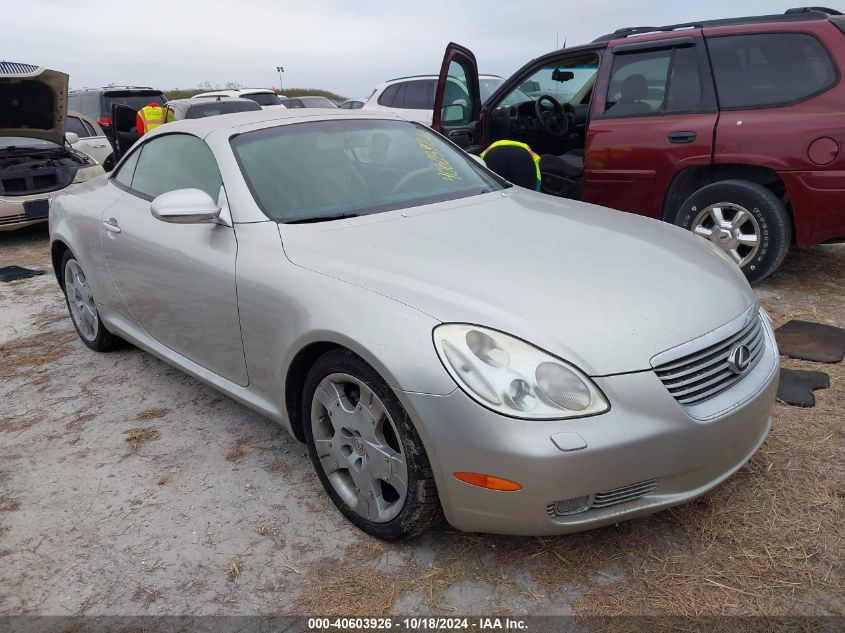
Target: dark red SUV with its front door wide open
{"points": [[730, 128]]}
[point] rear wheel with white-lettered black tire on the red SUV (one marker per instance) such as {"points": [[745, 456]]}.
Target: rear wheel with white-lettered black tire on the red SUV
{"points": [[745, 220]]}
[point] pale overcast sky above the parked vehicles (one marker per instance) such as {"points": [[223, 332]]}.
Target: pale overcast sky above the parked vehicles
{"points": [[344, 46]]}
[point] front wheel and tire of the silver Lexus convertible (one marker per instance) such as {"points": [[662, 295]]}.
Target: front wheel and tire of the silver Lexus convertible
{"points": [[367, 453]]}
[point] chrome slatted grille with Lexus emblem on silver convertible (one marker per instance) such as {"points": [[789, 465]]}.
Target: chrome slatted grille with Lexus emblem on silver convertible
{"points": [[706, 373]]}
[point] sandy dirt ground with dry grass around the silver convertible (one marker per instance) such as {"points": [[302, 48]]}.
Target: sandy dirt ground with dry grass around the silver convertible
{"points": [[127, 487]]}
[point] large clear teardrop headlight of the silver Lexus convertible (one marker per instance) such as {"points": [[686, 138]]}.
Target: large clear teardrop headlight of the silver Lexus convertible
{"points": [[514, 378]]}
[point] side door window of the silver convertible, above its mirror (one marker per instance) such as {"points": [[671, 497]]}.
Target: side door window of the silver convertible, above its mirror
{"points": [[176, 161]]}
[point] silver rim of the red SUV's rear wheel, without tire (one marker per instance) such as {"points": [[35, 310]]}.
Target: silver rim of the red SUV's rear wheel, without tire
{"points": [[732, 228]]}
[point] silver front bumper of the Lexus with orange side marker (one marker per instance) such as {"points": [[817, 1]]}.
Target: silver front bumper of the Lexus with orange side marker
{"points": [[646, 442]]}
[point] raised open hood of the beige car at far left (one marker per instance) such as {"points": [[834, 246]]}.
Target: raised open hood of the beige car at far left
{"points": [[33, 102]]}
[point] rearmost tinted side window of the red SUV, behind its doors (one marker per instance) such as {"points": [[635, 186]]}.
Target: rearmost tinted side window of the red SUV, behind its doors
{"points": [[769, 69]]}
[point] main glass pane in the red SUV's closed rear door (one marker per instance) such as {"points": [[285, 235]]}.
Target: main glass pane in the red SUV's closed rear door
{"points": [[638, 83]]}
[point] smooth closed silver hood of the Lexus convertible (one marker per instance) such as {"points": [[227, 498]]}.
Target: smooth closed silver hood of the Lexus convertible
{"points": [[604, 289]]}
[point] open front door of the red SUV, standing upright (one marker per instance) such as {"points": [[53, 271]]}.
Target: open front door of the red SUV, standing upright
{"points": [[457, 101]]}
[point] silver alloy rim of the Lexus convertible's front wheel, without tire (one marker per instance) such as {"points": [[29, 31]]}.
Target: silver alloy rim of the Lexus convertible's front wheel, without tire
{"points": [[359, 449]]}
